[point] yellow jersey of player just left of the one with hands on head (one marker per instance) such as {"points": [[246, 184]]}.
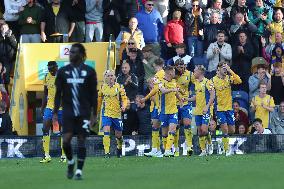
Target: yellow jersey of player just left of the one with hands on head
{"points": [[202, 89]]}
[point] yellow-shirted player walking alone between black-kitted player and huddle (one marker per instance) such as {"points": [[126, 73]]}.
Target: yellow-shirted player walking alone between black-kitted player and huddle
{"points": [[113, 100]]}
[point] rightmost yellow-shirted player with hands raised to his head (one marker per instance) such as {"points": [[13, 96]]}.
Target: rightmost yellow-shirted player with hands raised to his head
{"points": [[222, 82]]}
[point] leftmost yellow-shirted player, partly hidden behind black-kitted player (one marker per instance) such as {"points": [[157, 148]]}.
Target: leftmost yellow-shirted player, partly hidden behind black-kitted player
{"points": [[47, 109]]}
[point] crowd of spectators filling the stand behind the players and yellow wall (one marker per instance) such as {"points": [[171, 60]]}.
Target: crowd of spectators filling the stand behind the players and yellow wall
{"points": [[246, 34]]}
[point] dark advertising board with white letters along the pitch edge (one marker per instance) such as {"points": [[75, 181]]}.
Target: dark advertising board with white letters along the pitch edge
{"points": [[26, 147]]}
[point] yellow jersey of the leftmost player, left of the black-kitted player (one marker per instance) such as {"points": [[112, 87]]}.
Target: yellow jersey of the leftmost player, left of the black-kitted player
{"points": [[49, 83]]}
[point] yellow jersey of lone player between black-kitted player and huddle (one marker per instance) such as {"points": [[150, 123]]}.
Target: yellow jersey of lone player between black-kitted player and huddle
{"points": [[110, 98]]}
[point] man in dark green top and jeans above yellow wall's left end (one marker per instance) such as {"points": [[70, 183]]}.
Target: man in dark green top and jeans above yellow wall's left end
{"points": [[29, 20]]}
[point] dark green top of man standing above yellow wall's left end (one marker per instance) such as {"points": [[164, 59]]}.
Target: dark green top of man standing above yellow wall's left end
{"points": [[36, 13]]}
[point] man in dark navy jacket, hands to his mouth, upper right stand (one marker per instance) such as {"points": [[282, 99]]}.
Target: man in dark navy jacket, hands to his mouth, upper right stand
{"points": [[241, 24]]}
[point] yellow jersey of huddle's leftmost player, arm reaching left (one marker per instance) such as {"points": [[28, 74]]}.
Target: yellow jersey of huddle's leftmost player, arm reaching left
{"points": [[154, 92]]}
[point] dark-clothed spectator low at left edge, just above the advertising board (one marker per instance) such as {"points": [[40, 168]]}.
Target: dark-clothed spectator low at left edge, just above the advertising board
{"points": [[6, 123]]}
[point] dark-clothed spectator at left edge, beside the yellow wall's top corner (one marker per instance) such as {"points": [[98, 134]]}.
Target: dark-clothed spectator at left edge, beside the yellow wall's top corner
{"points": [[8, 46]]}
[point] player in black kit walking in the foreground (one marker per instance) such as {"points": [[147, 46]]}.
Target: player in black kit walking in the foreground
{"points": [[76, 90]]}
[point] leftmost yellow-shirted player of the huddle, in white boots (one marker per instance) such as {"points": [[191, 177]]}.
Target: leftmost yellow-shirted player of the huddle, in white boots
{"points": [[154, 108]]}
